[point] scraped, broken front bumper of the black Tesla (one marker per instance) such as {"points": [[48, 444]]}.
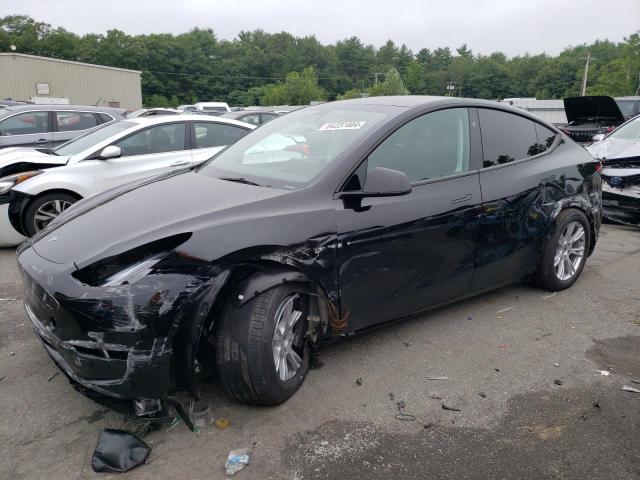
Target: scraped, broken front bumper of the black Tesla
{"points": [[117, 341]]}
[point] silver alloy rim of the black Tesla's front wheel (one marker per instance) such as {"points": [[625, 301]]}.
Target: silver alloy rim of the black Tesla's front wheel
{"points": [[287, 361]]}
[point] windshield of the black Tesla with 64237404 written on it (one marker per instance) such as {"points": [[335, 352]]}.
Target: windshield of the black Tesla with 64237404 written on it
{"points": [[293, 149]]}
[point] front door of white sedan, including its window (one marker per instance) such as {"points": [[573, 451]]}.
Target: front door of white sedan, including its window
{"points": [[151, 151]]}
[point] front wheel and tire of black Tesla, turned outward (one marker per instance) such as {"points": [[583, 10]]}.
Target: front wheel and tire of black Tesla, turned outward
{"points": [[262, 355]]}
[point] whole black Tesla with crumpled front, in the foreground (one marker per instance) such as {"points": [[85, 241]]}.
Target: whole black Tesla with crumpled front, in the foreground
{"points": [[322, 223]]}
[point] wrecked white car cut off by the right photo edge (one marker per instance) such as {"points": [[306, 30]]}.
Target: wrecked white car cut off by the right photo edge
{"points": [[620, 155]]}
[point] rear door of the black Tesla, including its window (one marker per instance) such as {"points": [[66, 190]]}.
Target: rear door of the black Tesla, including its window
{"points": [[520, 184]]}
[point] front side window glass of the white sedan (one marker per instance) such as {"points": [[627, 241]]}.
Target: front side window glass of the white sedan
{"points": [[158, 139]]}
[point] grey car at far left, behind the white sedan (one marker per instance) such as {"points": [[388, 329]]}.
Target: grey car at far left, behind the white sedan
{"points": [[45, 126]]}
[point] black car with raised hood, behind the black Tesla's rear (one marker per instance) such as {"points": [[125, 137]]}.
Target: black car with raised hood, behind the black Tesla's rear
{"points": [[589, 116]]}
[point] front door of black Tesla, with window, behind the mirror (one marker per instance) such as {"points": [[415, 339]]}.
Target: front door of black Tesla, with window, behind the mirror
{"points": [[400, 255]]}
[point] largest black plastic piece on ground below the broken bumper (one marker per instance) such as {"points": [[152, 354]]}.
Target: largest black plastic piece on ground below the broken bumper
{"points": [[118, 451]]}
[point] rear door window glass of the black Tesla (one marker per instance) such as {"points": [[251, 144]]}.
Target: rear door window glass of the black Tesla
{"points": [[506, 137]]}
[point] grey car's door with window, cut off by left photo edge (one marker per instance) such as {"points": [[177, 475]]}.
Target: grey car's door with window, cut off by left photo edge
{"points": [[32, 128]]}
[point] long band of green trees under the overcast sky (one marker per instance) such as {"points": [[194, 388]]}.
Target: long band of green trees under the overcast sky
{"points": [[259, 67]]}
